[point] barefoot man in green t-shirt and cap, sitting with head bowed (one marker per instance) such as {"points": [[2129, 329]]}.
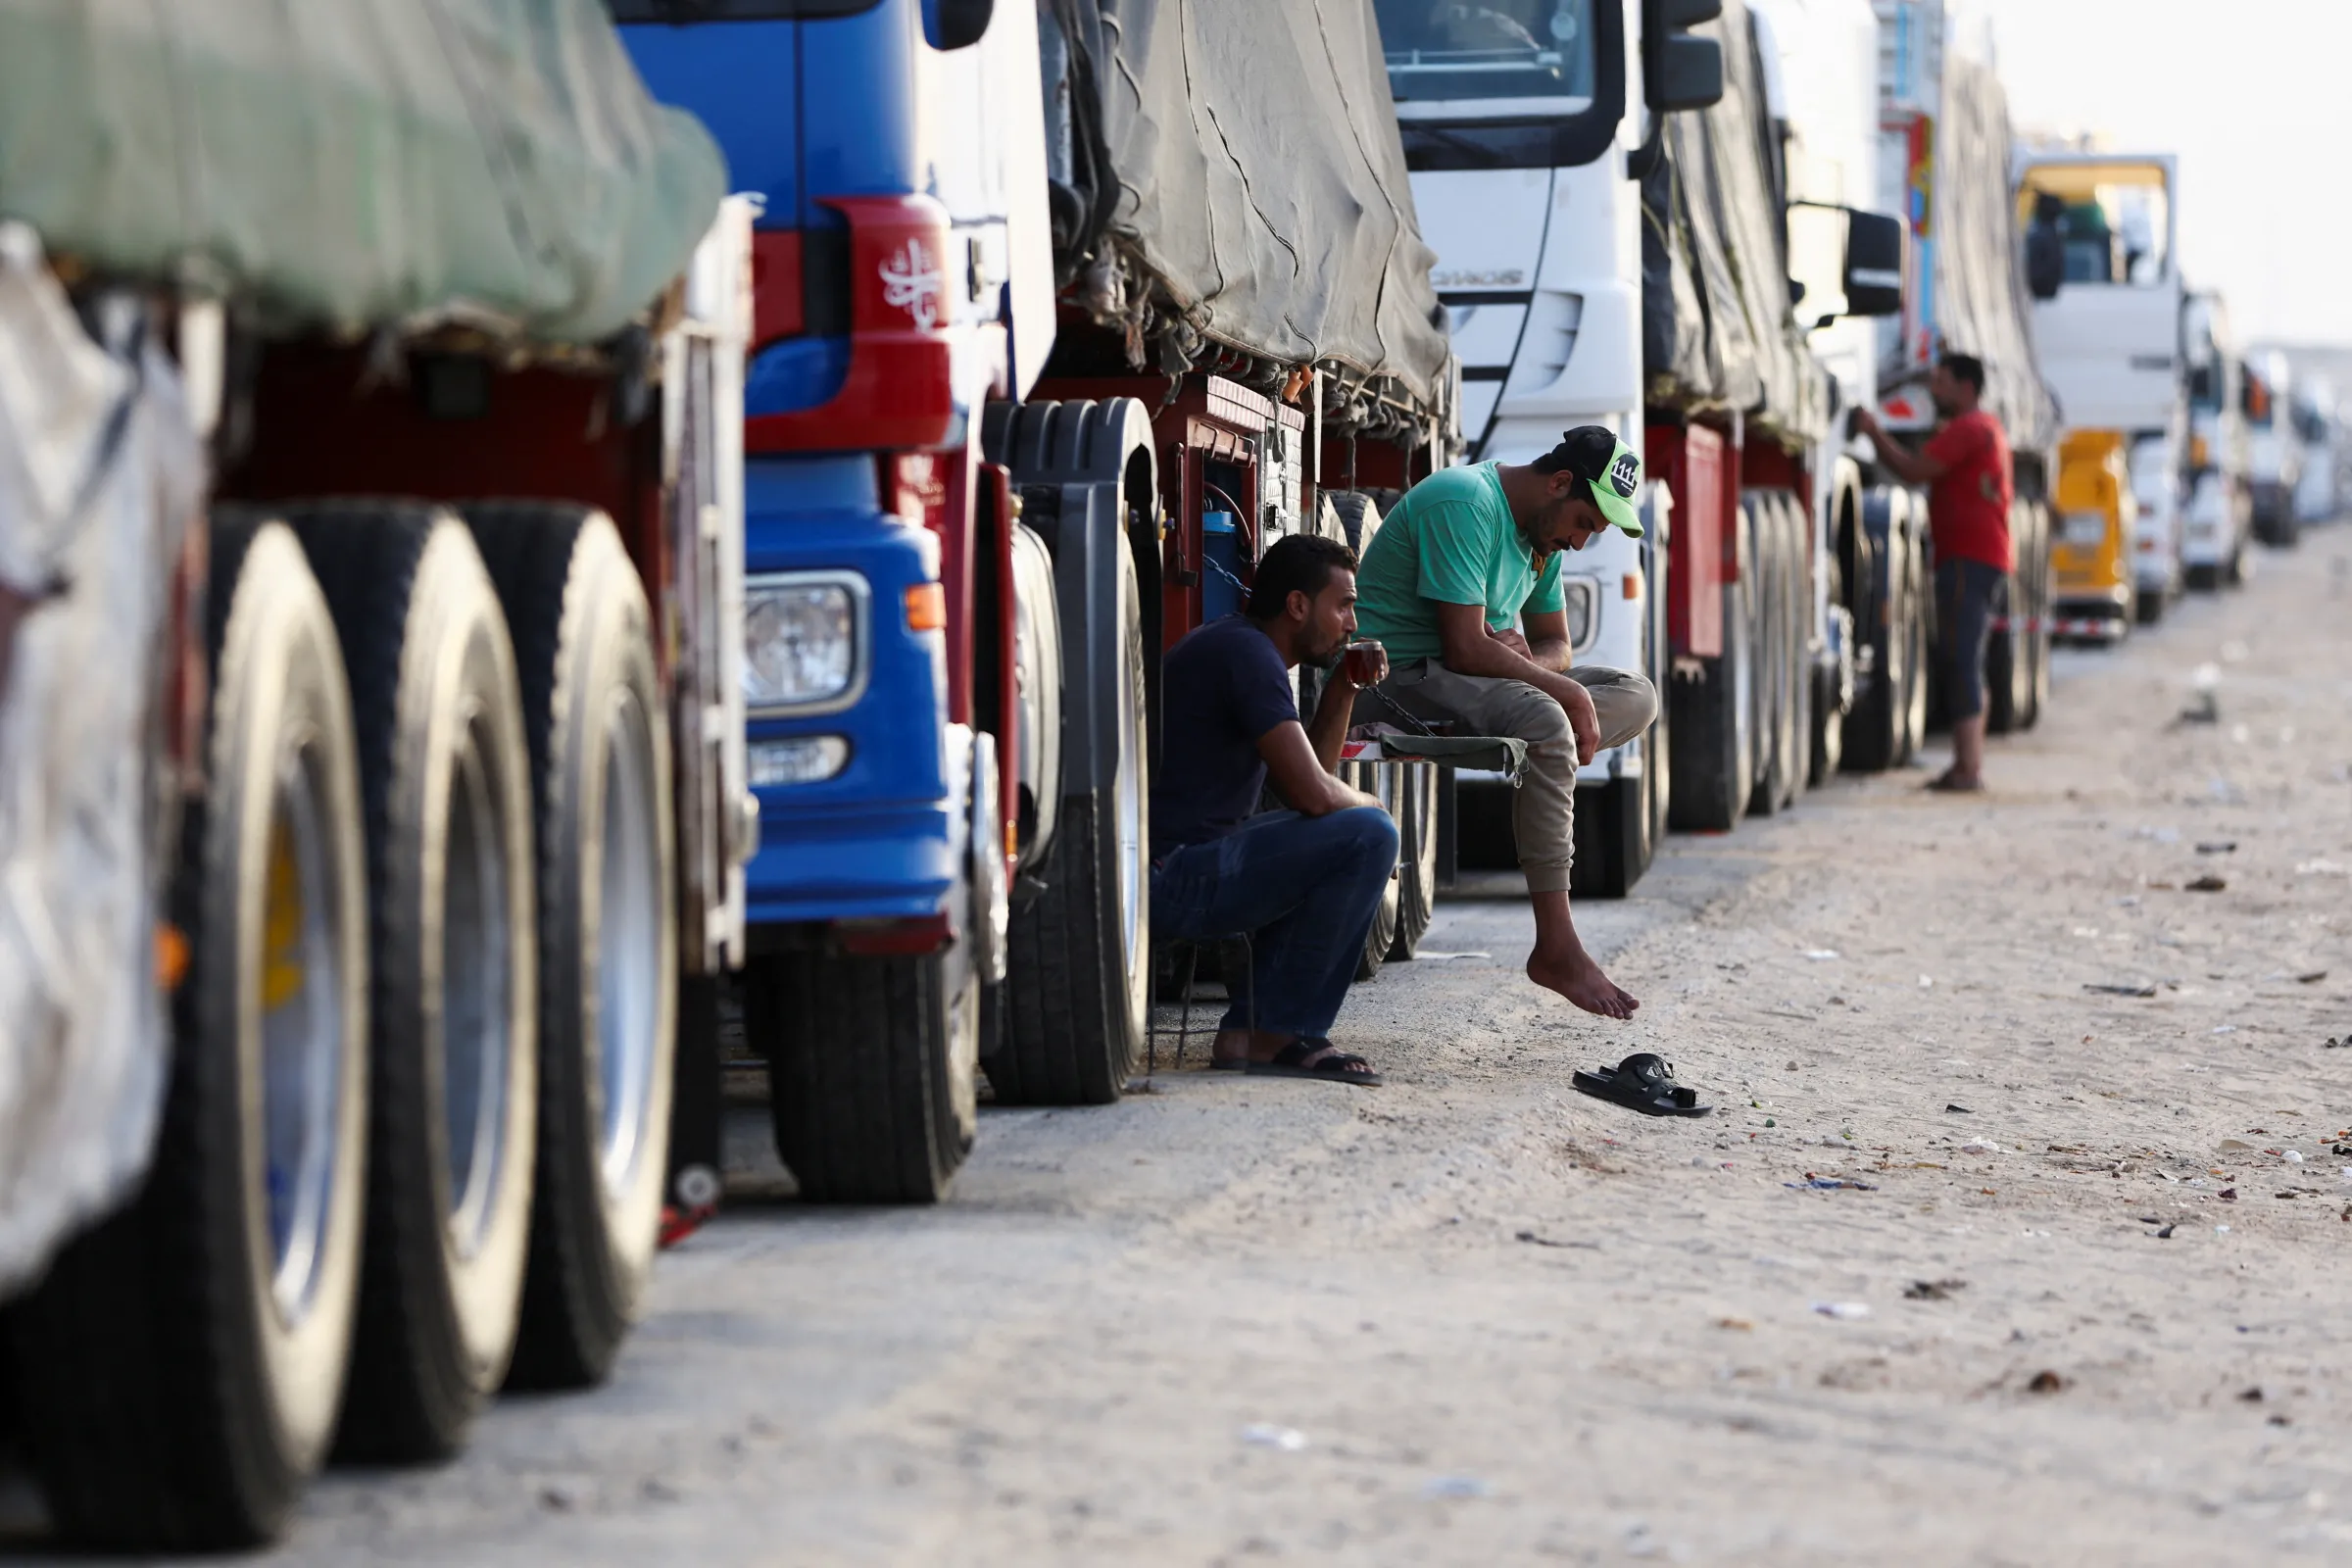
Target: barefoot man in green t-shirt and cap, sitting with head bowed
{"points": [[1462, 587]]}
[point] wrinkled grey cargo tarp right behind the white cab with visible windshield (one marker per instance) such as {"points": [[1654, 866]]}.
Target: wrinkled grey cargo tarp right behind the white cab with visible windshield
{"points": [[1718, 328]]}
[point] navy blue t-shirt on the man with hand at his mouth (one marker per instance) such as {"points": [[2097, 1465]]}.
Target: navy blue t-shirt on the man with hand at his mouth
{"points": [[1220, 692]]}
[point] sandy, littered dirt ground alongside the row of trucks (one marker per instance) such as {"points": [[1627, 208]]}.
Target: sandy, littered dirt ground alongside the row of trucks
{"points": [[2083, 1299]]}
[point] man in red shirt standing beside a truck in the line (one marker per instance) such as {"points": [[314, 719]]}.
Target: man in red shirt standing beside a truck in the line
{"points": [[1967, 504]]}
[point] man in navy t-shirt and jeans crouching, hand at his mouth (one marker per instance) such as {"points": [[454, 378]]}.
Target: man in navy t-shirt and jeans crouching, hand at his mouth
{"points": [[1302, 883]]}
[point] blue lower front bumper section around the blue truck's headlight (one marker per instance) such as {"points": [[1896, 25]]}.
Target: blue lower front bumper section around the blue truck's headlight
{"points": [[881, 838]]}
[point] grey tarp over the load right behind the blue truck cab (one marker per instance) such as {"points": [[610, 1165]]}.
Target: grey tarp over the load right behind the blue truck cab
{"points": [[1257, 182]]}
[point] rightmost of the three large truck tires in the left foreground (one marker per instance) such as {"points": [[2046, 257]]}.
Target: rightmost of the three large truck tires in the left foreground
{"points": [[608, 927]]}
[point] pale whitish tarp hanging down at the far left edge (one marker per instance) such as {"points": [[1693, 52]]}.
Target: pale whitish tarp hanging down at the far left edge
{"points": [[100, 474]]}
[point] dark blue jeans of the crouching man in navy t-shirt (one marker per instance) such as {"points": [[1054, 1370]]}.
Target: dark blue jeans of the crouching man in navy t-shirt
{"points": [[1304, 890]]}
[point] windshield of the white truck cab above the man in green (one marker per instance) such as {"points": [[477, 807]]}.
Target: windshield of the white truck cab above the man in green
{"points": [[1452, 51]]}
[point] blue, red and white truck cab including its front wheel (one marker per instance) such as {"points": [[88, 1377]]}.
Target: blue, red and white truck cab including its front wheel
{"points": [[902, 286]]}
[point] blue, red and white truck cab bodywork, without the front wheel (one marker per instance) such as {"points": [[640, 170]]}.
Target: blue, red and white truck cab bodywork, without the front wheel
{"points": [[883, 295]]}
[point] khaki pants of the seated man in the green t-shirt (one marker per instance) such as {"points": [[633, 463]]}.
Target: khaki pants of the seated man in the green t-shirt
{"points": [[1544, 810]]}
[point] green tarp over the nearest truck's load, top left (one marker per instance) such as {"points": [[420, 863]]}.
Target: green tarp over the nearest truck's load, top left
{"points": [[356, 163]]}
